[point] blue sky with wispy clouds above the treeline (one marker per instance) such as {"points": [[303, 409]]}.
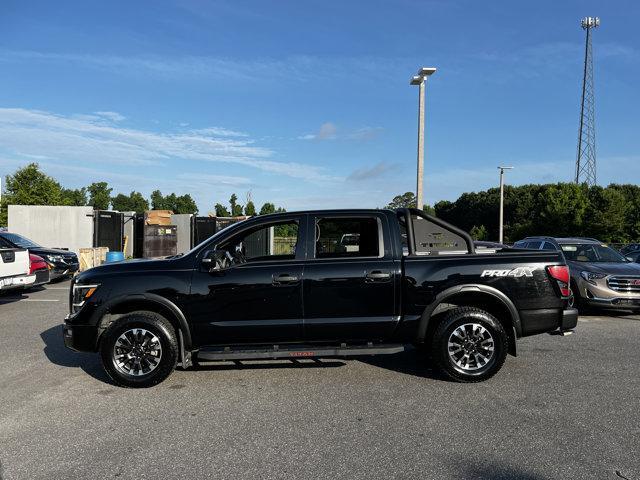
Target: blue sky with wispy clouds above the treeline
{"points": [[307, 104]]}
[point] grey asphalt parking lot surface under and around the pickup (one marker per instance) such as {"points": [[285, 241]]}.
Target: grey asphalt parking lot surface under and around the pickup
{"points": [[566, 408]]}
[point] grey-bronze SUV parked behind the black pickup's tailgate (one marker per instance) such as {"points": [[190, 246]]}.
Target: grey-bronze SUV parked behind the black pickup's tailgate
{"points": [[600, 275]]}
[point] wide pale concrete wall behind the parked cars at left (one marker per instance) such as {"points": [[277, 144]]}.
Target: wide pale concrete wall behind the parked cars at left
{"points": [[53, 226]]}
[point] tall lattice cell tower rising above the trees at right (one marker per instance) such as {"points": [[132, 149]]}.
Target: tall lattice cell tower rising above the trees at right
{"points": [[586, 158]]}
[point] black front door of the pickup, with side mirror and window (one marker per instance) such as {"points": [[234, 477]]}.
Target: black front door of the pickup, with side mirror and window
{"points": [[258, 299]]}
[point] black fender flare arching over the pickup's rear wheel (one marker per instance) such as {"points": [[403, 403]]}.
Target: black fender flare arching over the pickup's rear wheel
{"points": [[485, 297]]}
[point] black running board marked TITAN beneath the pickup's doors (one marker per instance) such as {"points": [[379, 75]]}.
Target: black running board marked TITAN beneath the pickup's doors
{"points": [[297, 351]]}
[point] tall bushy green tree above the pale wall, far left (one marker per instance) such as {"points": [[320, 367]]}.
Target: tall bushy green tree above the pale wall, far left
{"points": [[29, 186]]}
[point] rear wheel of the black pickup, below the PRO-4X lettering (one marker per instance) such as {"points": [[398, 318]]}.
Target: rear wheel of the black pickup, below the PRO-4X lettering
{"points": [[491, 333]]}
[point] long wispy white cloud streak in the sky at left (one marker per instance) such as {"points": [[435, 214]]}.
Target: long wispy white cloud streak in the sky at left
{"points": [[87, 140]]}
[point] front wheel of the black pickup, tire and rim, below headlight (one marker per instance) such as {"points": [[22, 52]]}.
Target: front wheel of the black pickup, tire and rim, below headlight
{"points": [[139, 350]]}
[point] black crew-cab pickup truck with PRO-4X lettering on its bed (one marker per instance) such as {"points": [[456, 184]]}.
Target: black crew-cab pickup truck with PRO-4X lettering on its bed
{"points": [[319, 284]]}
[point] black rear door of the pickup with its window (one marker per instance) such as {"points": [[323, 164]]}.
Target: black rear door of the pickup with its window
{"points": [[350, 278]]}
